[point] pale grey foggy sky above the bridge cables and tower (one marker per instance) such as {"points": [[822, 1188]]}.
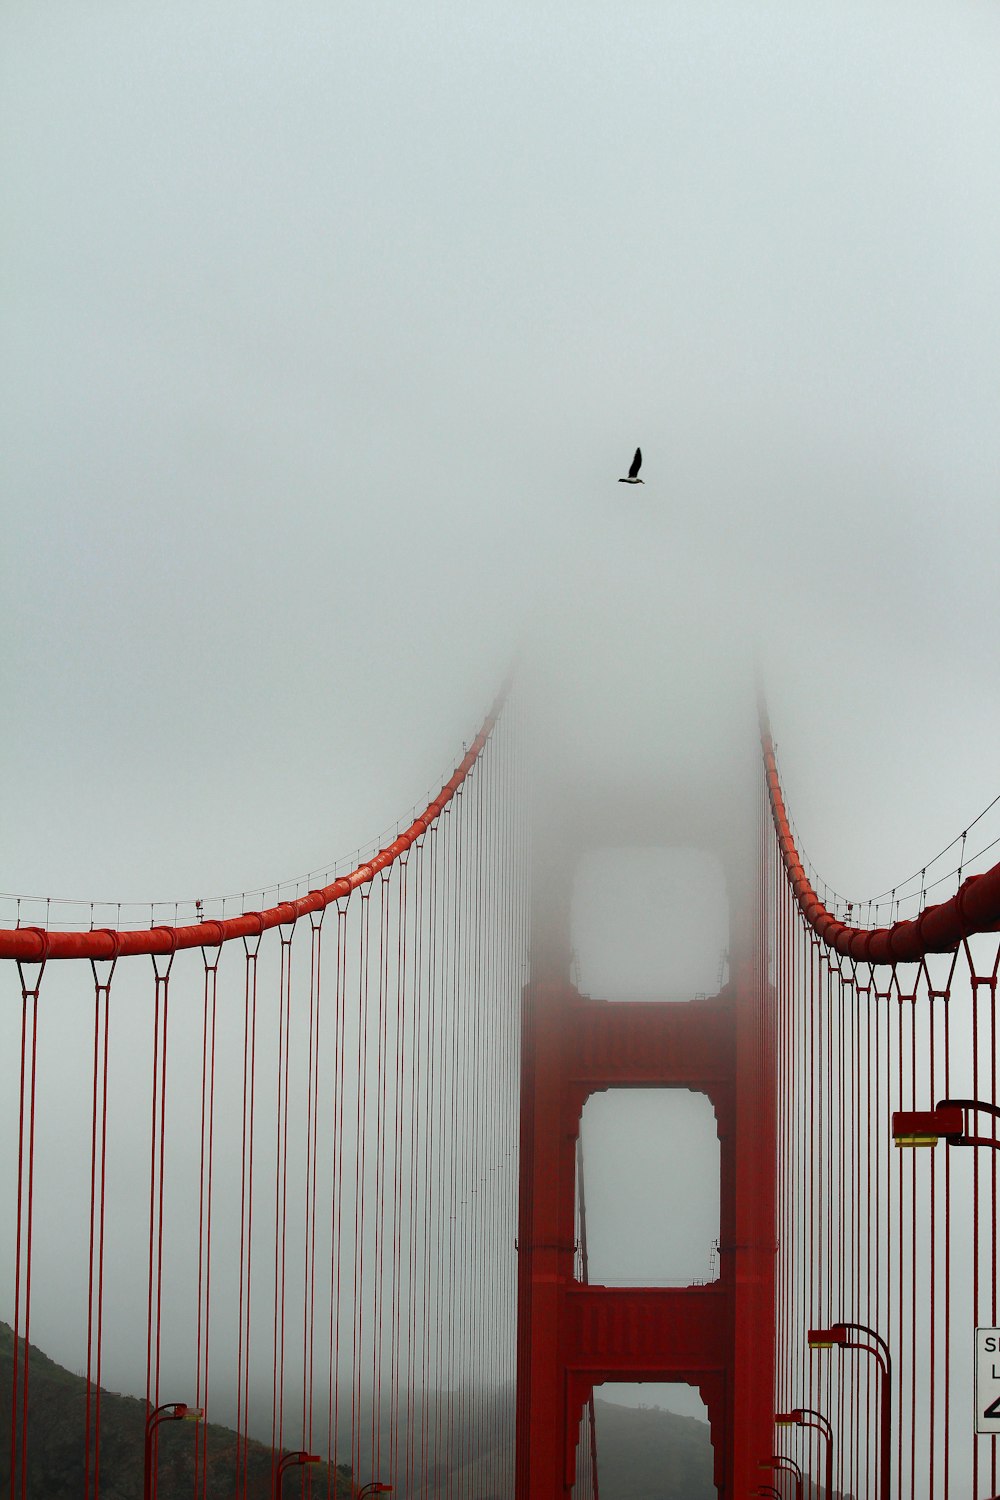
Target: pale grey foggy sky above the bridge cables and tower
{"points": [[326, 334]]}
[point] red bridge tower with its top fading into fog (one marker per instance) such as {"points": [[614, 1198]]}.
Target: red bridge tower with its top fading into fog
{"points": [[572, 1337]]}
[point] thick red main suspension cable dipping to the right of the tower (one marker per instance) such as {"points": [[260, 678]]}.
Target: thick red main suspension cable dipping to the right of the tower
{"points": [[975, 908]]}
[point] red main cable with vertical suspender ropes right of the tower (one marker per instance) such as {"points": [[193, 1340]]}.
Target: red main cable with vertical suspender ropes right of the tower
{"points": [[887, 1253]]}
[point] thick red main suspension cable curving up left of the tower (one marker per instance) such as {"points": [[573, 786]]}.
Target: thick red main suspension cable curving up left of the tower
{"points": [[40, 944]]}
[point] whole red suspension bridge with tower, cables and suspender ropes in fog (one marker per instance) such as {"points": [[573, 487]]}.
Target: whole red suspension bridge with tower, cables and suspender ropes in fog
{"points": [[307, 1166]]}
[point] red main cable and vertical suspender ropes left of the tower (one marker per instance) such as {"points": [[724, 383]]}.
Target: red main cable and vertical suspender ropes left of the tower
{"points": [[358, 1099]]}
